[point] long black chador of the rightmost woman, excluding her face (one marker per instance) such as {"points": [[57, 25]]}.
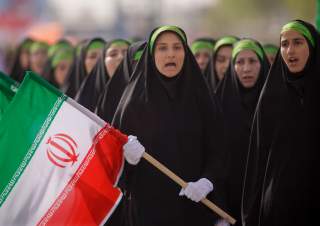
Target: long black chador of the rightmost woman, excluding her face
{"points": [[282, 167]]}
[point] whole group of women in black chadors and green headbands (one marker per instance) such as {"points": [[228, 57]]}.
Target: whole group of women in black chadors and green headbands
{"points": [[241, 133]]}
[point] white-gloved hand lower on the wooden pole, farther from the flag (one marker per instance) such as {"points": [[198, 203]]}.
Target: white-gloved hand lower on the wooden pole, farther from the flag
{"points": [[198, 190]]}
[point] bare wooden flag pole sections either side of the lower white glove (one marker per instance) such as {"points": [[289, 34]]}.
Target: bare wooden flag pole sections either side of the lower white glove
{"points": [[183, 184]]}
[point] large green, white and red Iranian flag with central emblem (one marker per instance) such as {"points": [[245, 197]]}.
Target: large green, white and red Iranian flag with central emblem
{"points": [[59, 163]]}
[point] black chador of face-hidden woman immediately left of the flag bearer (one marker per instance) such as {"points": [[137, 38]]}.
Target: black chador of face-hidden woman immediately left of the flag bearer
{"points": [[112, 92]]}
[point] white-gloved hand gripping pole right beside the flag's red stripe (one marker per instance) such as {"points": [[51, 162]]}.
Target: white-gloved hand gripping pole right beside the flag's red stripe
{"points": [[133, 150]]}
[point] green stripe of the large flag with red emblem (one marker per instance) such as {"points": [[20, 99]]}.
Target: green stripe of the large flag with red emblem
{"points": [[22, 127]]}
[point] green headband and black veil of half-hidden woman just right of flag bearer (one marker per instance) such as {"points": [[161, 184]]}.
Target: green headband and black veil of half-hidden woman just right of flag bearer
{"points": [[210, 73]]}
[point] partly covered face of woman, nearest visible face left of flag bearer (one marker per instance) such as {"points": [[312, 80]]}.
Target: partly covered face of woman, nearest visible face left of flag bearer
{"points": [[114, 55]]}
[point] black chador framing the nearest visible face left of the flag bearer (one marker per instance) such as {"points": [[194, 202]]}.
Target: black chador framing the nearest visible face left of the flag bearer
{"points": [[94, 84]]}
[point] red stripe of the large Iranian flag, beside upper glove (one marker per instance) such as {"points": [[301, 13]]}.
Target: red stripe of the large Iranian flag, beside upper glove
{"points": [[90, 195]]}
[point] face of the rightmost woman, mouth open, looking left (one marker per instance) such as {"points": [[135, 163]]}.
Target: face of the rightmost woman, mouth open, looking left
{"points": [[294, 50]]}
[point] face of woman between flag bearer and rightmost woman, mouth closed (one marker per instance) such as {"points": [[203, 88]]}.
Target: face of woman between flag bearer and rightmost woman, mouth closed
{"points": [[247, 67]]}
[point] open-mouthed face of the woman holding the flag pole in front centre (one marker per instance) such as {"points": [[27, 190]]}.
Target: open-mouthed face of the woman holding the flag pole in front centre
{"points": [[169, 54]]}
